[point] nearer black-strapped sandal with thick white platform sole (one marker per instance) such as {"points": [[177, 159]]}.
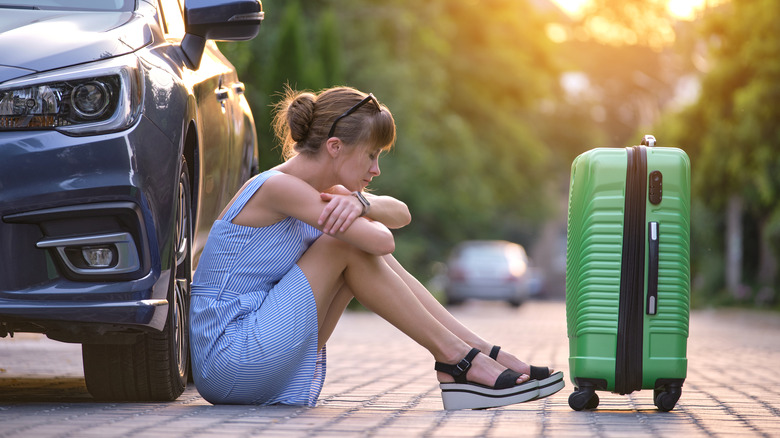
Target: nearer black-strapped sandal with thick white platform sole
{"points": [[466, 395]]}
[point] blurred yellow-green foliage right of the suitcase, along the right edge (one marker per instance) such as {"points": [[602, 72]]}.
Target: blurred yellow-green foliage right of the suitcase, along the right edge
{"points": [[734, 136]]}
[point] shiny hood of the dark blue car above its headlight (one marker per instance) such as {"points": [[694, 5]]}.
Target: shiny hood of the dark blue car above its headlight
{"points": [[34, 41]]}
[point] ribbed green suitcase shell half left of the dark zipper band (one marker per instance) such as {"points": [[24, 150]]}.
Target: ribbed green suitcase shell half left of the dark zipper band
{"points": [[593, 262]]}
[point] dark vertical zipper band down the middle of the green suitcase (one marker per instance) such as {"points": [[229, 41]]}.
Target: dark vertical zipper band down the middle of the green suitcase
{"points": [[628, 356]]}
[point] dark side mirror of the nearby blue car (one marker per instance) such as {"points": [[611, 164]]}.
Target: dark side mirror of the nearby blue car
{"points": [[221, 20]]}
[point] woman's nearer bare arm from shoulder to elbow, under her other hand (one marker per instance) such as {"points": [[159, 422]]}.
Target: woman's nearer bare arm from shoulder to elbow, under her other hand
{"points": [[285, 195]]}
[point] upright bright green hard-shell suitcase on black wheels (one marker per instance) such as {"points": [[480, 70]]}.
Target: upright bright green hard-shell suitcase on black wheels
{"points": [[627, 273]]}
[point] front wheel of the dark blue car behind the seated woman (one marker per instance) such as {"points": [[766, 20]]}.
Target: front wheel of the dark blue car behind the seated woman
{"points": [[157, 365]]}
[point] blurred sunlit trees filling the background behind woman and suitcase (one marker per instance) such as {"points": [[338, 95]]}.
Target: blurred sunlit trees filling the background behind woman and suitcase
{"points": [[493, 99]]}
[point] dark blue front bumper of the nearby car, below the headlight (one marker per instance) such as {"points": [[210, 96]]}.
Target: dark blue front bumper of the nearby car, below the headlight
{"points": [[61, 194]]}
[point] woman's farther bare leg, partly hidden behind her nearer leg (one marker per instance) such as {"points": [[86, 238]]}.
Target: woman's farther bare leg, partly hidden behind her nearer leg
{"points": [[445, 317]]}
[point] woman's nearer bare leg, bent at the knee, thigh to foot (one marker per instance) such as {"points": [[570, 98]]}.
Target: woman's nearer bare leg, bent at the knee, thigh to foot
{"points": [[329, 263]]}
